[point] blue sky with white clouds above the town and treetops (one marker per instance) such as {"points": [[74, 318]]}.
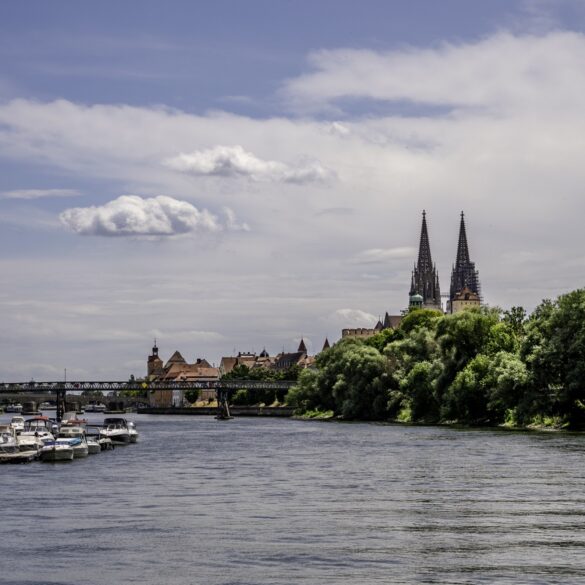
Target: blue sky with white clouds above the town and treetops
{"points": [[231, 176]]}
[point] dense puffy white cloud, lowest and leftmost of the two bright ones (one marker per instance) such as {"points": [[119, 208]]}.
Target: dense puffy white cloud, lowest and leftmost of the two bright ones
{"points": [[131, 215]]}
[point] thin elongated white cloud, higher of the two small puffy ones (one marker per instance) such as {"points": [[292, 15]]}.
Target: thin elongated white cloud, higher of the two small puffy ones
{"points": [[234, 161]]}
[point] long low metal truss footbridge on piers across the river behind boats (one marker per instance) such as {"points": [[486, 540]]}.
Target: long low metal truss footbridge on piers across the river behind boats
{"points": [[224, 389]]}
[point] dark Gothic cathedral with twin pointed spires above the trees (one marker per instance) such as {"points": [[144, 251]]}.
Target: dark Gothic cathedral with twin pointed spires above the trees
{"points": [[425, 291]]}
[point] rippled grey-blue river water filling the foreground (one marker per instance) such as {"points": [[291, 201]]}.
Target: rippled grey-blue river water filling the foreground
{"points": [[276, 502]]}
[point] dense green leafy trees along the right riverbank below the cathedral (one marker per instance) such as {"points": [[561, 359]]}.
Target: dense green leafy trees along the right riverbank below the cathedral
{"points": [[479, 366]]}
